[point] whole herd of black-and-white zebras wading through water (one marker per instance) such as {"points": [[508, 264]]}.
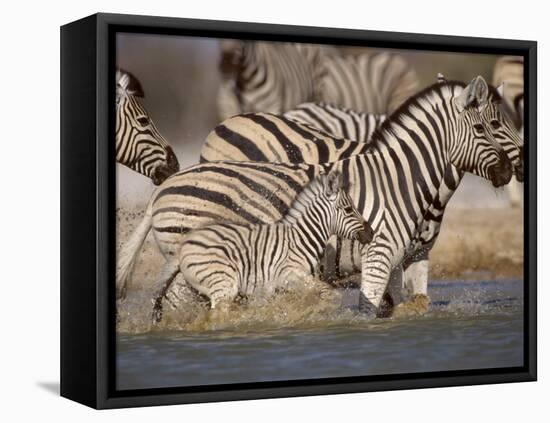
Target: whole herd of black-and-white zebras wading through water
{"points": [[227, 220]]}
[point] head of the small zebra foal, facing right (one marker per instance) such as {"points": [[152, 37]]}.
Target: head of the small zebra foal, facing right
{"points": [[347, 222]]}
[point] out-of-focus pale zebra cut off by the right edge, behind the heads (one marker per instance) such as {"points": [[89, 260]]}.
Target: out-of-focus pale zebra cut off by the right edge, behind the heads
{"points": [[509, 71]]}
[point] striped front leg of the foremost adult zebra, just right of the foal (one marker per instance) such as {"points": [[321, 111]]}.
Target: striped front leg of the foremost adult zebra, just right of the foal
{"points": [[376, 270]]}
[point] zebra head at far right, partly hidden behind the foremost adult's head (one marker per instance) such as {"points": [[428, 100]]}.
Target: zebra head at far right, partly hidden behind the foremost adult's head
{"points": [[504, 130]]}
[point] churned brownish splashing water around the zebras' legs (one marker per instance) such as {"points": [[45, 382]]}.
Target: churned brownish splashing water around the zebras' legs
{"points": [[313, 305]]}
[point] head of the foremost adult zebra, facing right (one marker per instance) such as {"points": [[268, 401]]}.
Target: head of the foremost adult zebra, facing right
{"points": [[476, 150]]}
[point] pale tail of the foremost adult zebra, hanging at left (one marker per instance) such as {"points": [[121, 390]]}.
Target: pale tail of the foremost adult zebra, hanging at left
{"points": [[127, 255]]}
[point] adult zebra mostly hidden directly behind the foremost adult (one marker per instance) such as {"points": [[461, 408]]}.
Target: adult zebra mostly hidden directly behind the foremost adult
{"points": [[342, 258]]}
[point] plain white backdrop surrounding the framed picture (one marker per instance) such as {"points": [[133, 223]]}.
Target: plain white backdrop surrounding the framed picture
{"points": [[30, 209]]}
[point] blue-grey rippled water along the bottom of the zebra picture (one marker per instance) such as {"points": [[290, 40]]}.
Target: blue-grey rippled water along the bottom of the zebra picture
{"points": [[470, 325]]}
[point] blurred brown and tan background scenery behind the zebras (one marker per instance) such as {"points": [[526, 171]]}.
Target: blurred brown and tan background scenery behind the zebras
{"points": [[482, 236]]}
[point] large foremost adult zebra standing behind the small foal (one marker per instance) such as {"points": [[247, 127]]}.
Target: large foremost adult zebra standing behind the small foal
{"points": [[439, 130]]}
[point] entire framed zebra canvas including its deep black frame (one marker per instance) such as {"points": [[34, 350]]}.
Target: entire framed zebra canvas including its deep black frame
{"points": [[258, 211]]}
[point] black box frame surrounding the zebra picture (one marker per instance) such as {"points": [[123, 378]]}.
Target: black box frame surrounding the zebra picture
{"points": [[88, 205]]}
